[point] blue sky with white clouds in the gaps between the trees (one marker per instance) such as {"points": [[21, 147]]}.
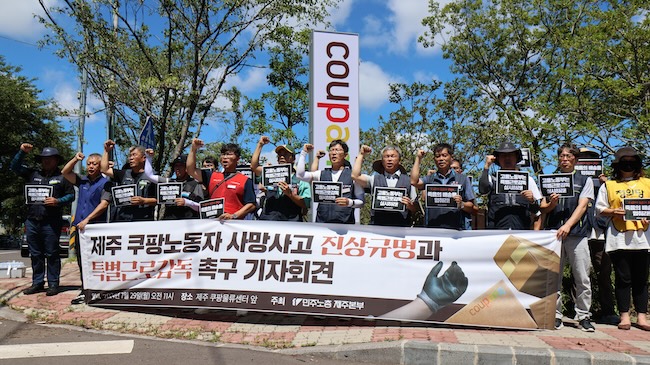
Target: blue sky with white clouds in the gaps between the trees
{"points": [[388, 32]]}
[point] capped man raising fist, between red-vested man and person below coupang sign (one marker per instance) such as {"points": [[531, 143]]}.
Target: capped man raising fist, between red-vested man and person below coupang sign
{"points": [[284, 202]]}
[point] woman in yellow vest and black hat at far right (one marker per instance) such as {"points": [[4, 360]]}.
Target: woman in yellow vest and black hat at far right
{"points": [[627, 240]]}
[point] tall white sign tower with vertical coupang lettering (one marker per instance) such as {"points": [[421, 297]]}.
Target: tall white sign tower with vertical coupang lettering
{"points": [[334, 90]]}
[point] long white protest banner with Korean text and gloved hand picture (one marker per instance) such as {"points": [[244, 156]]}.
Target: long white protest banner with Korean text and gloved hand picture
{"points": [[491, 278]]}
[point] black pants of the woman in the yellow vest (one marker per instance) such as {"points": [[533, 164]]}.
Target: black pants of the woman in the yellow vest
{"points": [[631, 273]]}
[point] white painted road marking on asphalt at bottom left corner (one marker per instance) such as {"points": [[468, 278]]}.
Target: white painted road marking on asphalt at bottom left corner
{"points": [[66, 349]]}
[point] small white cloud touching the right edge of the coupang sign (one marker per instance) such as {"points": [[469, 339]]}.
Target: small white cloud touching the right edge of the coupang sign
{"points": [[373, 85]]}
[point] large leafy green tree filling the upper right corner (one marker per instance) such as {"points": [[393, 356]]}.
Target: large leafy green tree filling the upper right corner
{"points": [[544, 72]]}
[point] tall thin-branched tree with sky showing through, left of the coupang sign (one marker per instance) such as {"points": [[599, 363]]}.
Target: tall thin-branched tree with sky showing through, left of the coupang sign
{"points": [[169, 59]]}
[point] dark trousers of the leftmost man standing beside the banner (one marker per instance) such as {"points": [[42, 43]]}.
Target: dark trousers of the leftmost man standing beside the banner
{"points": [[43, 243]]}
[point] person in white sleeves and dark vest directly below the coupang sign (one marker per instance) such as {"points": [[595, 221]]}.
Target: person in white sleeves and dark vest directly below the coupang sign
{"points": [[352, 193]]}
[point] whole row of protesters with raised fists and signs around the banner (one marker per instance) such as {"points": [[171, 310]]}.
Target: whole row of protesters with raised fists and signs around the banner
{"points": [[591, 222]]}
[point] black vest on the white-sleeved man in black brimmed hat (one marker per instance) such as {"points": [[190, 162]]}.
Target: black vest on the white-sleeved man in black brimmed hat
{"points": [[508, 211]]}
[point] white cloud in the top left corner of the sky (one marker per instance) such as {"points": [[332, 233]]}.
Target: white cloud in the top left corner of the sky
{"points": [[17, 18]]}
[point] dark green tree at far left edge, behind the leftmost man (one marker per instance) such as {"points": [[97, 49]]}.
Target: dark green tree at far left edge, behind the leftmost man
{"points": [[24, 118]]}
